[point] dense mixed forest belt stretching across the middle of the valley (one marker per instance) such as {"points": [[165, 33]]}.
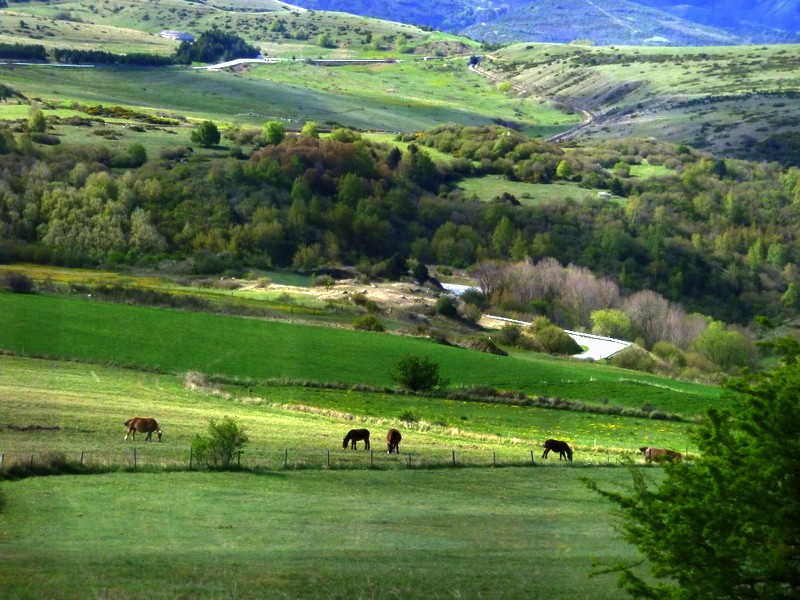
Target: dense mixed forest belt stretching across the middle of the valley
{"points": [[712, 236]]}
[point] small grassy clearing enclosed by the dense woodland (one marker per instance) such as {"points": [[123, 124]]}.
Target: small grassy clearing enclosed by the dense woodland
{"points": [[489, 187]]}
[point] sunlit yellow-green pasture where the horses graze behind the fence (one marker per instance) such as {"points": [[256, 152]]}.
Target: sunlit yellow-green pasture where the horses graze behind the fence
{"points": [[76, 408]]}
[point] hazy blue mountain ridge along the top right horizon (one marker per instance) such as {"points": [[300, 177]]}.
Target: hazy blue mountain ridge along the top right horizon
{"points": [[605, 22]]}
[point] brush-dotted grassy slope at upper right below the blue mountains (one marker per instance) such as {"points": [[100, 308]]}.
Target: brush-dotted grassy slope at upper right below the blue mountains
{"points": [[736, 101]]}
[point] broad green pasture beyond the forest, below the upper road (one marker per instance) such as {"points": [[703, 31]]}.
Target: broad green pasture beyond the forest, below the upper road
{"points": [[250, 100]]}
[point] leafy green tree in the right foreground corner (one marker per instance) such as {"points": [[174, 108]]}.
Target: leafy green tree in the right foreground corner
{"points": [[726, 525]]}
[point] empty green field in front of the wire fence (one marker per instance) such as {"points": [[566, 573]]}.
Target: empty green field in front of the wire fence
{"points": [[463, 533]]}
